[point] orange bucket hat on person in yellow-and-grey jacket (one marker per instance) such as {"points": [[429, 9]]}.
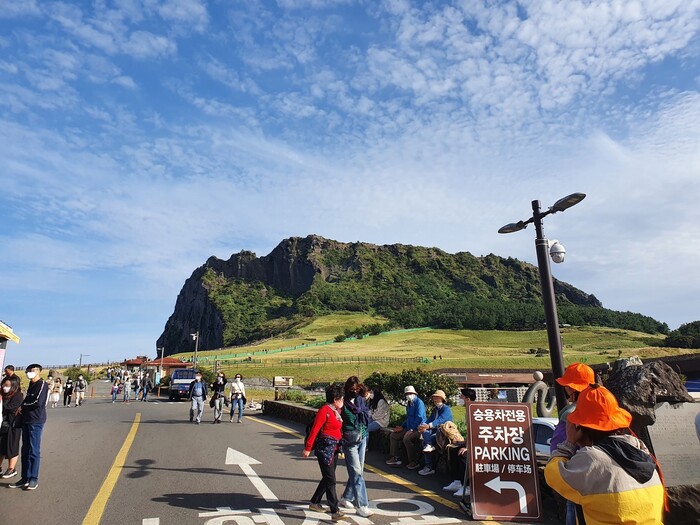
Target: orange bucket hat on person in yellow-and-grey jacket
{"points": [[597, 408]]}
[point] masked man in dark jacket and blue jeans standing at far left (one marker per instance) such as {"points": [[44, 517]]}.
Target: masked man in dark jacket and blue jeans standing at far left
{"points": [[33, 413]]}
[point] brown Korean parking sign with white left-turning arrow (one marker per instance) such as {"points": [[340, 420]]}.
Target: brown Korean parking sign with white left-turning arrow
{"points": [[502, 462]]}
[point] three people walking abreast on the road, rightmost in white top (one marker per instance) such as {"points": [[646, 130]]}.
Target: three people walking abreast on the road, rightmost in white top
{"points": [[223, 392]]}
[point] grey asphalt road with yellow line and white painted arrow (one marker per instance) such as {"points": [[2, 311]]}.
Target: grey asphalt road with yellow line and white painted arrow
{"points": [[176, 472]]}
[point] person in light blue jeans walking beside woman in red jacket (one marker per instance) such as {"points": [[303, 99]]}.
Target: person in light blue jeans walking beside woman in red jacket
{"points": [[355, 417]]}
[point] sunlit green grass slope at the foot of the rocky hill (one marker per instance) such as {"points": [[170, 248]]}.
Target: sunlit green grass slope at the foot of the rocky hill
{"points": [[459, 349]]}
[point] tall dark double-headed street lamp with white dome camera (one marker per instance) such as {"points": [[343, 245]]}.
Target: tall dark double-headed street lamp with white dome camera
{"points": [[543, 249]]}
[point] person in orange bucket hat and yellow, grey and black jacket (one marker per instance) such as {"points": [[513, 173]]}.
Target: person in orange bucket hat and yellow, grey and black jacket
{"points": [[611, 476]]}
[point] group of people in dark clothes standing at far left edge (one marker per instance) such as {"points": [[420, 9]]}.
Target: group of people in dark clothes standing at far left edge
{"points": [[23, 418]]}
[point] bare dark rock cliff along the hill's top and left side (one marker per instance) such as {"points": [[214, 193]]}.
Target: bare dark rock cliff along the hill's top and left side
{"points": [[295, 263]]}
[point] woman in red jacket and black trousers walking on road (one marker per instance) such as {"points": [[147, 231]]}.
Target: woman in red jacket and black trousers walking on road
{"points": [[324, 439]]}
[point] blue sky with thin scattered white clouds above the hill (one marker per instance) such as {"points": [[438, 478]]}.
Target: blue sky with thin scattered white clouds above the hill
{"points": [[140, 137]]}
